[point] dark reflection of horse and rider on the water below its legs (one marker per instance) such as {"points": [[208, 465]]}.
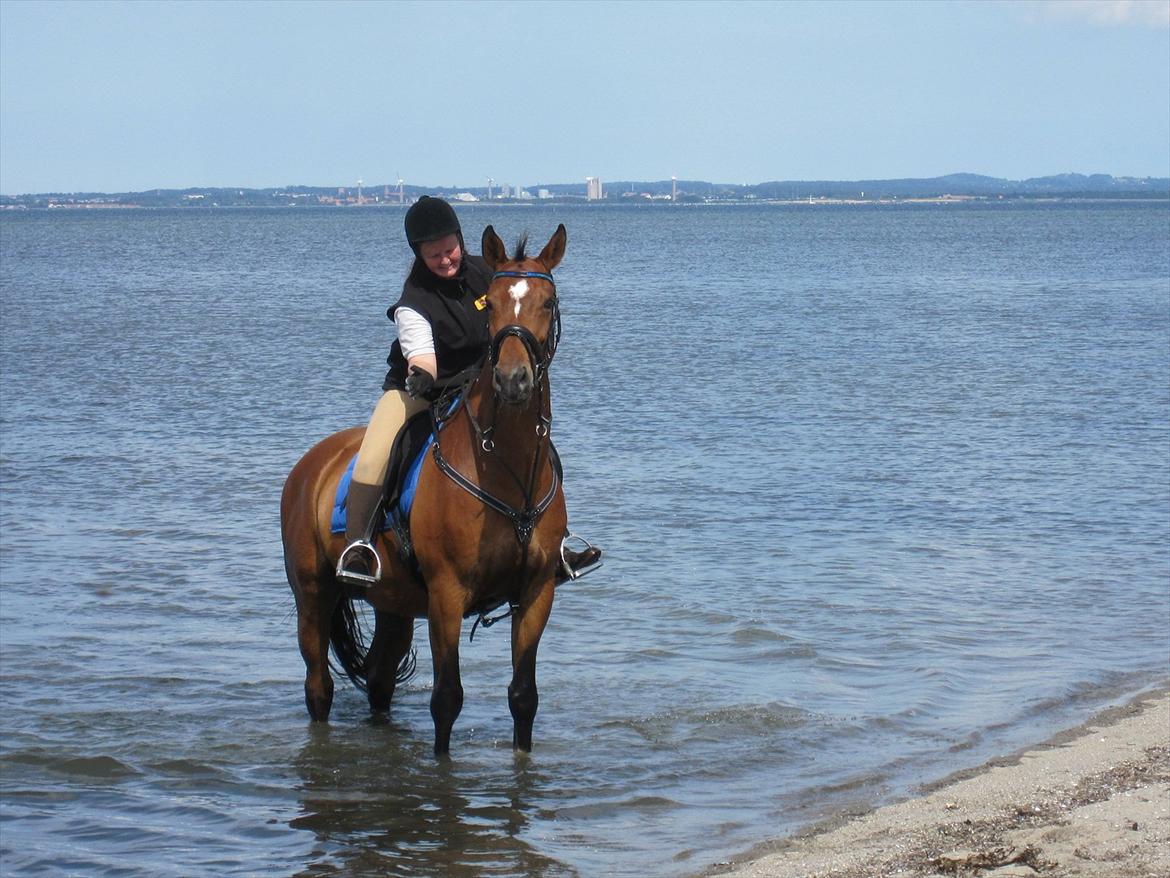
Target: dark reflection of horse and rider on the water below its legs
{"points": [[380, 804]]}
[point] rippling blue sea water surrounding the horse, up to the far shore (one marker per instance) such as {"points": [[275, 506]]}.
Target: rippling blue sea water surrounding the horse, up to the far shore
{"points": [[884, 491]]}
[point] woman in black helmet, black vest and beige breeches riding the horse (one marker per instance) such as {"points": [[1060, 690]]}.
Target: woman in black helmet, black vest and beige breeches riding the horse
{"points": [[441, 334]]}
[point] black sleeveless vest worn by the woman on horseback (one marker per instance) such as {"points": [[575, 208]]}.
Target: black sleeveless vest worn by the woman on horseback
{"points": [[460, 330]]}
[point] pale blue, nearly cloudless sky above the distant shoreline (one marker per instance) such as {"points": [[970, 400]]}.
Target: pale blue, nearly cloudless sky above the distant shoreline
{"points": [[127, 97]]}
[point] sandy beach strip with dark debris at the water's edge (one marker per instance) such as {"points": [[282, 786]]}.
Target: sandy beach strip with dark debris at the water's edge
{"points": [[1093, 801]]}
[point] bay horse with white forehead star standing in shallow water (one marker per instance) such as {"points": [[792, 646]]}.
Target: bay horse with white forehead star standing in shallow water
{"points": [[487, 522]]}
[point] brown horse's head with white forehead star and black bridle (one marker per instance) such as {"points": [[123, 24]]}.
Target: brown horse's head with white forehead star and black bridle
{"points": [[524, 314]]}
